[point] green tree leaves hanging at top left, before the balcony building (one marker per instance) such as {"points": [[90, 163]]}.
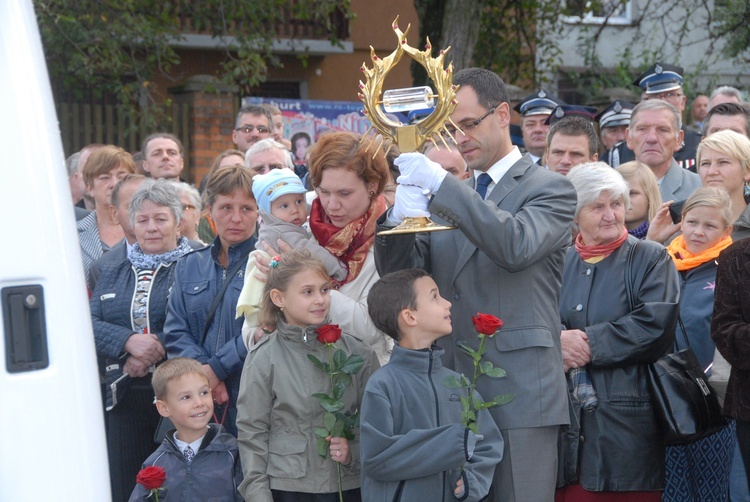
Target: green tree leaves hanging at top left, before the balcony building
{"points": [[116, 47]]}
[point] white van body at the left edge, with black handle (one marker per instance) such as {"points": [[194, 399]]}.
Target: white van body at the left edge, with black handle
{"points": [[52, 443]]}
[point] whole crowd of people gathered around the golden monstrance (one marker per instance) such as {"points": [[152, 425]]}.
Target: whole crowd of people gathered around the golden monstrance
{"points": [[600, 248]]}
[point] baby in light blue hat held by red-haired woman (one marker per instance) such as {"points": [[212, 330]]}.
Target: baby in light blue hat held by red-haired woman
{"points": [[280, 195]]}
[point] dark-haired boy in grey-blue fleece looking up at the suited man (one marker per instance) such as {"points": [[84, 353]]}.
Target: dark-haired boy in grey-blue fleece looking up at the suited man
{"points": [[413, 445]]}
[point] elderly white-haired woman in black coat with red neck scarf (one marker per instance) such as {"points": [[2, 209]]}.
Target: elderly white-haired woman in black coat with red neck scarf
{"points": [[618, 306]]}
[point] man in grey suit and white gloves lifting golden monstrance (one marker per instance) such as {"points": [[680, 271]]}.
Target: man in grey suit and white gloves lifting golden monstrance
{"points": [[513, 223]]}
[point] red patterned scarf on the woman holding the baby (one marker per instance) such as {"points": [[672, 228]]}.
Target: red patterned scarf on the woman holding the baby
{"points": [[351, 243]]}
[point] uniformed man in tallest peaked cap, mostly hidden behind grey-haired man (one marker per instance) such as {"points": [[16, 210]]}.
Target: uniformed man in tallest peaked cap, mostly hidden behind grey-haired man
{"points": [[664, 82]]}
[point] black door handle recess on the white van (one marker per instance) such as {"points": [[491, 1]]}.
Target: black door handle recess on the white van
{"points": [[25, 328]]}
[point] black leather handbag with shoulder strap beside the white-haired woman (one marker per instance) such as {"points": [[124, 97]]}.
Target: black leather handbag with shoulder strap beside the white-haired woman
{"points": [[685, 404]]}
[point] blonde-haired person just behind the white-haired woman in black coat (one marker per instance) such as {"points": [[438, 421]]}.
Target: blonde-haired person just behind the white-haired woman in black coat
{"points": [[645, 197]]}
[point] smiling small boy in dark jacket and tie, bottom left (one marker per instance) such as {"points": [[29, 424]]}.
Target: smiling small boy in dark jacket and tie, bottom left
{"points": [[201, 460]]}
